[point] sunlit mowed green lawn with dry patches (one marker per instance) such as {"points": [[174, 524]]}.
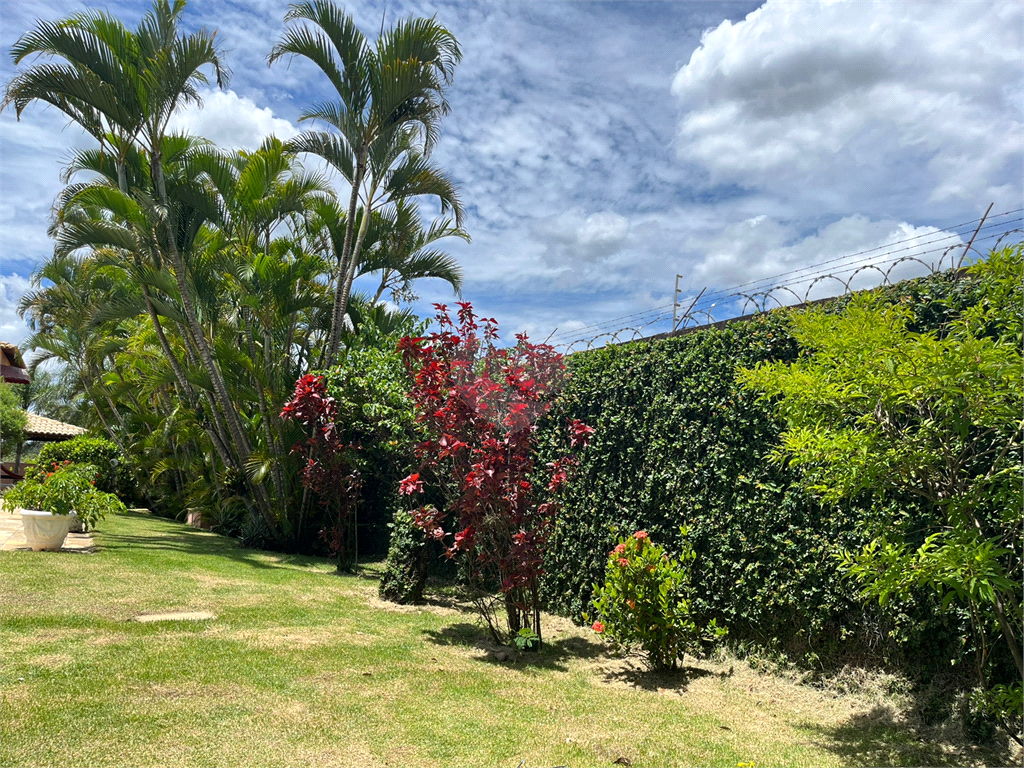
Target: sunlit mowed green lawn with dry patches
{"points": [[305, 667]]}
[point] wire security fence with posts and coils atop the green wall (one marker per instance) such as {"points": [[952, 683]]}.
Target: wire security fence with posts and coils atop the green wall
{"points": [[940, 251]]}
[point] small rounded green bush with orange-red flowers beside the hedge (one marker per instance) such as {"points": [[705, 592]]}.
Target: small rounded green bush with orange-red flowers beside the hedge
{"points": [[646, 604]]}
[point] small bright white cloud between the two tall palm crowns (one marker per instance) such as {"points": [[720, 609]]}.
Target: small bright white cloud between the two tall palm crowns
{"points": [[232, 122]]}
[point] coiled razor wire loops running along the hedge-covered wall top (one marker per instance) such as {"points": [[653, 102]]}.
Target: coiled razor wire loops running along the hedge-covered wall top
{"points": [[771, 292]]}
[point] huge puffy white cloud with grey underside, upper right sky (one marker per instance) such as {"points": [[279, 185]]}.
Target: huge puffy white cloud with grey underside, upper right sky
{"points": [[858, 101]]}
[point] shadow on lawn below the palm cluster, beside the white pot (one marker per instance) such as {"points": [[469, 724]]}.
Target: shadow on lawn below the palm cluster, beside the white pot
{"points": [[177, 537]]}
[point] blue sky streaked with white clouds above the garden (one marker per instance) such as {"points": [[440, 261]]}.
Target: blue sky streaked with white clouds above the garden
{"points": [[602, 149]]}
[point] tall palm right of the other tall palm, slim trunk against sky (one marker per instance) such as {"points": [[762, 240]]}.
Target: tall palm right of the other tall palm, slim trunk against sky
{"points": [[391, 101]]}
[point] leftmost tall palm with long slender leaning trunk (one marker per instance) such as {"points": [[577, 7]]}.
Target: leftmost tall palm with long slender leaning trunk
{"points": [[124, 87]]}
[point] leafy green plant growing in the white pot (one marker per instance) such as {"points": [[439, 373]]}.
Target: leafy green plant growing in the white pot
{"points": [[68, 488]]}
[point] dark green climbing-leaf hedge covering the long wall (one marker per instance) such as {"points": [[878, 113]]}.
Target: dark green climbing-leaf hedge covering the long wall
{"points": [[678, 442]]}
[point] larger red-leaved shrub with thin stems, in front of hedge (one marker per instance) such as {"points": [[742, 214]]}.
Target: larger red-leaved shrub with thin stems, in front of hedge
{"points": [[479, 406]]}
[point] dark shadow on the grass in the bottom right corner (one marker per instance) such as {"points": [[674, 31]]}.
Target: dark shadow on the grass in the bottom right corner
{"points": [[878, 739]]}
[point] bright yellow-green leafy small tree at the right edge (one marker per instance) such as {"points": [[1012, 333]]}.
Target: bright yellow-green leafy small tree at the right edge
{"points": [[873, 406]]}
